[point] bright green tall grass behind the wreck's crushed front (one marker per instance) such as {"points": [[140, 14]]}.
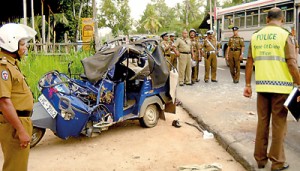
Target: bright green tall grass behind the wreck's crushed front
{"points": [[35, 66]]}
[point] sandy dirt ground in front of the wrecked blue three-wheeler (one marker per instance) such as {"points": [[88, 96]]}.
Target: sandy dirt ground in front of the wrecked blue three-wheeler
{"points": [[127, 146]]}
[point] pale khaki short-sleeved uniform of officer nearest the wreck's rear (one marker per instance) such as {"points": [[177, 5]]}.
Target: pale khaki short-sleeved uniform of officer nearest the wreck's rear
{"points": [[184, 60]]}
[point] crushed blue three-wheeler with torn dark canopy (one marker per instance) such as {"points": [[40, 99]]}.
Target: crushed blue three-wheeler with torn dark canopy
{"points": [[129, 81]]}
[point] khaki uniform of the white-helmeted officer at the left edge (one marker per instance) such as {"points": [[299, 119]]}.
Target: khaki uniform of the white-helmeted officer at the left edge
{"points": [[14, 86]]}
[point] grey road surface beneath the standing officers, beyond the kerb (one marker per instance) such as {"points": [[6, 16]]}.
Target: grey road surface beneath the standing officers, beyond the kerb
{"points": [[222, 109]]}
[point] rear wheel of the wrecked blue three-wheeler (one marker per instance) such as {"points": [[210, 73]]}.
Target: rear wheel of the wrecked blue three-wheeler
{"points": [[150, 117]]}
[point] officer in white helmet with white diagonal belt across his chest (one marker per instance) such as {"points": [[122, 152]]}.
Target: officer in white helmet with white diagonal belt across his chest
{"points": [[210, 48]]}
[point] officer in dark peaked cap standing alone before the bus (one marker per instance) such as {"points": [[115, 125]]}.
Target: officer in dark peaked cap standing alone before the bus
{"points": [[234, 54]]}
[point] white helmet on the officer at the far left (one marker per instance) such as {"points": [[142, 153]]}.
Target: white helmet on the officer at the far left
{"points": [[12, 33]]}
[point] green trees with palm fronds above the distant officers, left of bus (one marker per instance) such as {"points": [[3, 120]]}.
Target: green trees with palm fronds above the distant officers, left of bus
{"points": [[159, 16]]}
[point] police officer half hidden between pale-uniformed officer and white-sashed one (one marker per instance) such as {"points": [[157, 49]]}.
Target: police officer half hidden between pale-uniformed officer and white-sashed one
{"points": [[196, 55]]}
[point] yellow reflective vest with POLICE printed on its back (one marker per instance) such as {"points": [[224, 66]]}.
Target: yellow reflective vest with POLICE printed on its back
{"points": [[271, 70]]}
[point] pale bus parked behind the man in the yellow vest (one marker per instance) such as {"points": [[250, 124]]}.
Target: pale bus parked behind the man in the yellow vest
{"points": [[250, 17]]}
